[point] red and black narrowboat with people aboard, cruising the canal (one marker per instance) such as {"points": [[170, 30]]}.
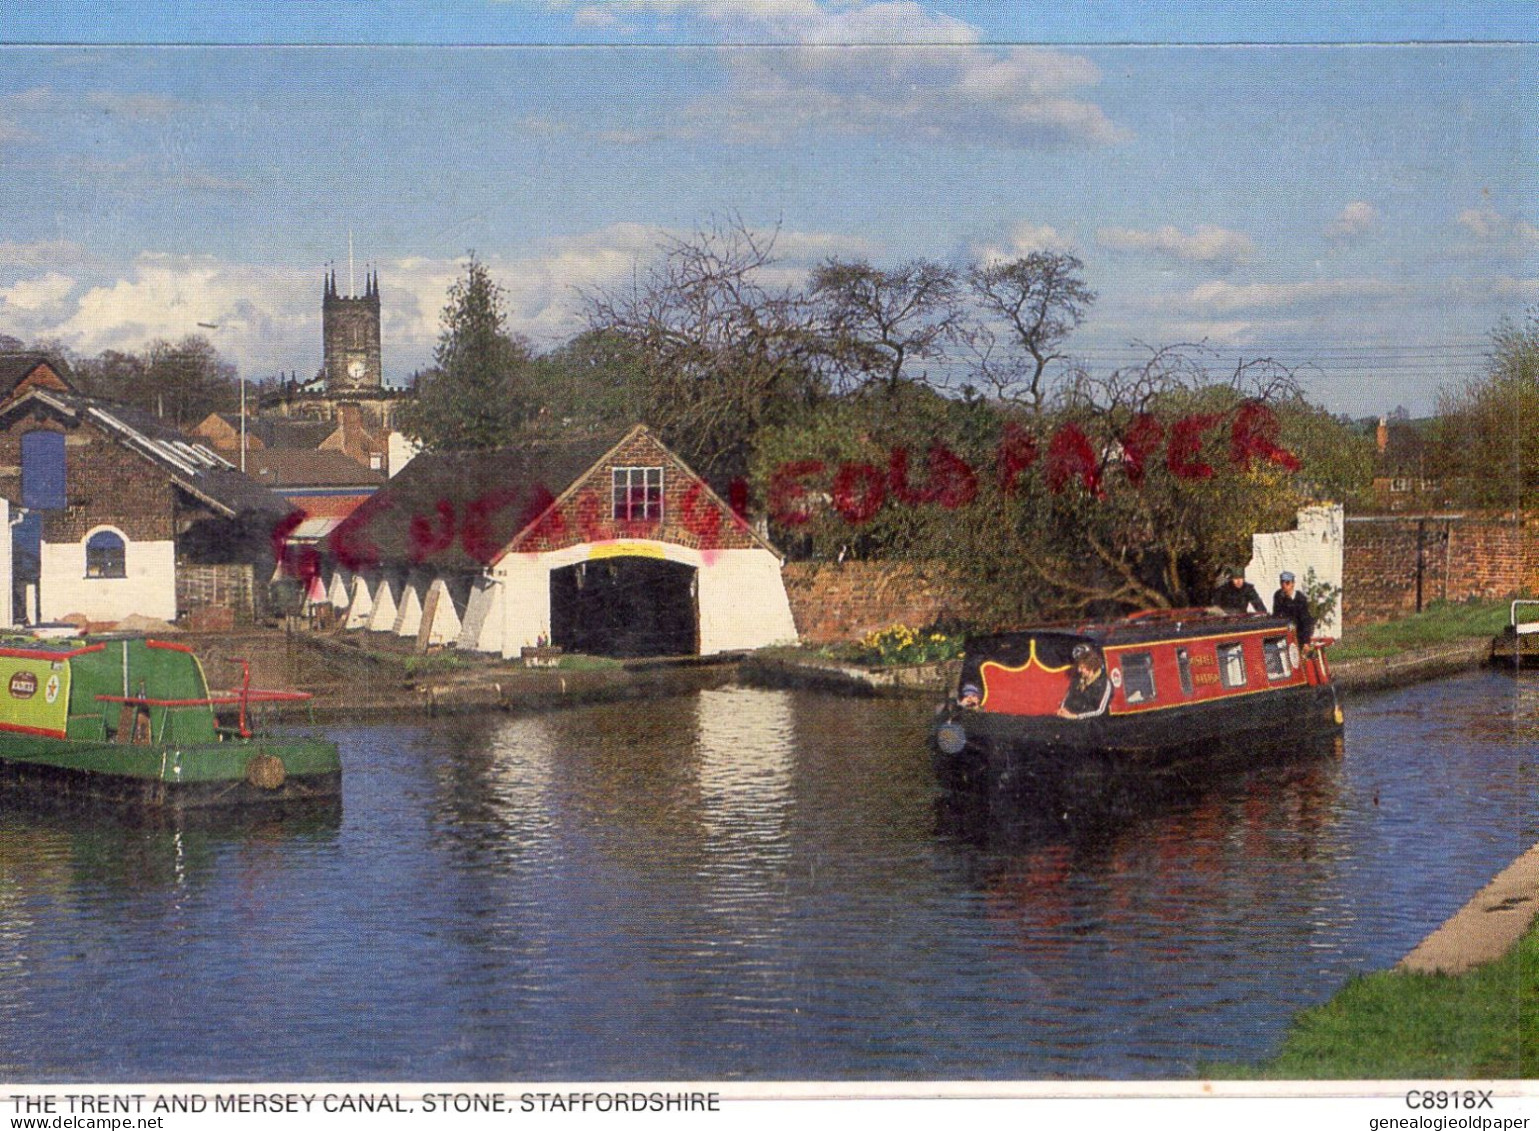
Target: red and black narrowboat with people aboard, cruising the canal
{"points": [[1063, 712]]}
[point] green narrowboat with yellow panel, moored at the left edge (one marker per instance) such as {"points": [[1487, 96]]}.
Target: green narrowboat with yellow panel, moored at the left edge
{"points": [[133, 721]]}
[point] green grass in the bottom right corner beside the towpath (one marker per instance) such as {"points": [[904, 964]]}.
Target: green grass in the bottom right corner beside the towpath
{"points": [[1392, 1026]]}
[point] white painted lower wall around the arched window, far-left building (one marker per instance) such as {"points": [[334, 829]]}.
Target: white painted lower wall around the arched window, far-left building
{"points": [[150, 590]]}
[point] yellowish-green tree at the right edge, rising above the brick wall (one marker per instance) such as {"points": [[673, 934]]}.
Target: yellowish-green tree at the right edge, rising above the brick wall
{"points": [[1486, 436]]}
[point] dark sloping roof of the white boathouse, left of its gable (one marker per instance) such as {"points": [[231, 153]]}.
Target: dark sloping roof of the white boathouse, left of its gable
{"points": [[509, 487]]}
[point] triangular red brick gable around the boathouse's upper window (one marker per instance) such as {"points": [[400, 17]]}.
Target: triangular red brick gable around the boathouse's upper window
{"points": [[692, 516]]}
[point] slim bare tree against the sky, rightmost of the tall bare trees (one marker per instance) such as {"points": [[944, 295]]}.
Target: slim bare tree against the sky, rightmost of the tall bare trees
{"points": [[1030, 307]]}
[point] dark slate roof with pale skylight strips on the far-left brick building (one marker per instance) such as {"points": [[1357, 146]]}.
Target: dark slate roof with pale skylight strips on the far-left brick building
{"points": [[193, 467]]}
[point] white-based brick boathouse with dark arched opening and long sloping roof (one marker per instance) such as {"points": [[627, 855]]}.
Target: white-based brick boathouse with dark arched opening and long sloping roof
{"points": [[609, 547]]}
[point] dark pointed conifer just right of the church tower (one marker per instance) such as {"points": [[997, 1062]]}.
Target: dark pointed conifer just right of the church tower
{"points": [[479, 390]]}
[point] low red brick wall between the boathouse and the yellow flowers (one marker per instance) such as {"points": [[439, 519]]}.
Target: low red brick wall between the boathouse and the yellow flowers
{"points": [[847, 601]]}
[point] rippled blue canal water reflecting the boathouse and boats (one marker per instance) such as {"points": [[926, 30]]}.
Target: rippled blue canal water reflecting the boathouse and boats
{"points": [[746, 886]]}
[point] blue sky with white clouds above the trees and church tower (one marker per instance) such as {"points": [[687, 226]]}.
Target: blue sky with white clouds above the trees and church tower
{"points": [[1347, 192]]}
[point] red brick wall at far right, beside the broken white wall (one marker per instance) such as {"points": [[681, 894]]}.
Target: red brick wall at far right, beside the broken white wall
{"points": [[1486, 558]]}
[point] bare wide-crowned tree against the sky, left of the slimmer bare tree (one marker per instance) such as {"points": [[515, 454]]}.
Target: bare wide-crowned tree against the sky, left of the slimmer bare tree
{"points": [[881, 319]]}
